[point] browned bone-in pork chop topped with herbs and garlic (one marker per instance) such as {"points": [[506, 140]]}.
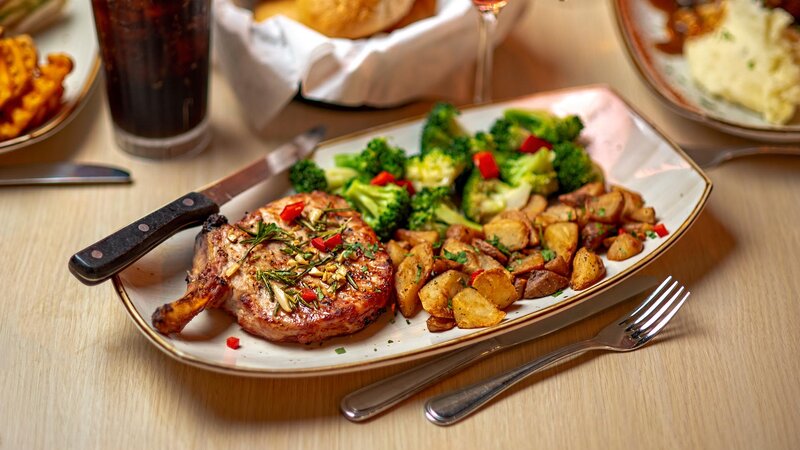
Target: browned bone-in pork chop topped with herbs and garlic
{"points": [[220, 277]]}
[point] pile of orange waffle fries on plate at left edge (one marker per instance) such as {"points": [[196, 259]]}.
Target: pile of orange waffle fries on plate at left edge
{"points": [[29, 93]]}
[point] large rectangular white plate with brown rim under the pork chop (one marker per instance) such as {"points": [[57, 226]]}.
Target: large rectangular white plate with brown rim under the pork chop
{"points": [[629, 149]]}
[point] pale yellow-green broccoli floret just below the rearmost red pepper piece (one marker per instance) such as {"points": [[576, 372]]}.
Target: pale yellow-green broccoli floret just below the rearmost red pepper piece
{"points": [[534, 169]]}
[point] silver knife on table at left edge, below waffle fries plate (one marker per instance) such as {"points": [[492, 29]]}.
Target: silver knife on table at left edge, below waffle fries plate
{"points": [[62, 173]]}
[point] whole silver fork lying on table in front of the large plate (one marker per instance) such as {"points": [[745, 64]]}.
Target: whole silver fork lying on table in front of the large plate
{"points": [[629, 332]]}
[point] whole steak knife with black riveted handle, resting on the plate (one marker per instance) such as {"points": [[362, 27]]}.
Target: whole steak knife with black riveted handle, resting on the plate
{"points": [[107, 257]]}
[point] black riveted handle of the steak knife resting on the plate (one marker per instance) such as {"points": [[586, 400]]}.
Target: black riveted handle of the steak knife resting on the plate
{"points": [[109, 256]]}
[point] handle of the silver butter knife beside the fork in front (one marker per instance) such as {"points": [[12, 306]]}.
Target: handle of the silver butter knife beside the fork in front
{"points": [[375, 398]]}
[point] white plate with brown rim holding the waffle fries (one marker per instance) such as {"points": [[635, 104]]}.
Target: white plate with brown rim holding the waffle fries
{"points": [[74, 34]]}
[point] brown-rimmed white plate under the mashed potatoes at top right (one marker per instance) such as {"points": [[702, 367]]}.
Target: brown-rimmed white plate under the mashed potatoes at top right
{"points": [[642, 26]]}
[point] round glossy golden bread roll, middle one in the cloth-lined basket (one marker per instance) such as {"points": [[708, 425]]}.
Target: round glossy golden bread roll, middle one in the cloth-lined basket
{"points": [[352, 19]]}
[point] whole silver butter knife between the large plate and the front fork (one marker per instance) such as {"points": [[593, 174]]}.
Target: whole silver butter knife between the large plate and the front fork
{"points": [[379, 396]]}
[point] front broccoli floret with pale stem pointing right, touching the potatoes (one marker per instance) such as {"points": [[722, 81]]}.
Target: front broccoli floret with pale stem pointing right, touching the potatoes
{"points": [[432, 209]]}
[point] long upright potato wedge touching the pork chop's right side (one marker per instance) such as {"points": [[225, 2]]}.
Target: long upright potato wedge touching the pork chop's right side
{"points": [[411, 275]]}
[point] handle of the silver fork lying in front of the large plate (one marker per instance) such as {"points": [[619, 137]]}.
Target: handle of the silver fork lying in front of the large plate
{"points": [[454, 406]]}
